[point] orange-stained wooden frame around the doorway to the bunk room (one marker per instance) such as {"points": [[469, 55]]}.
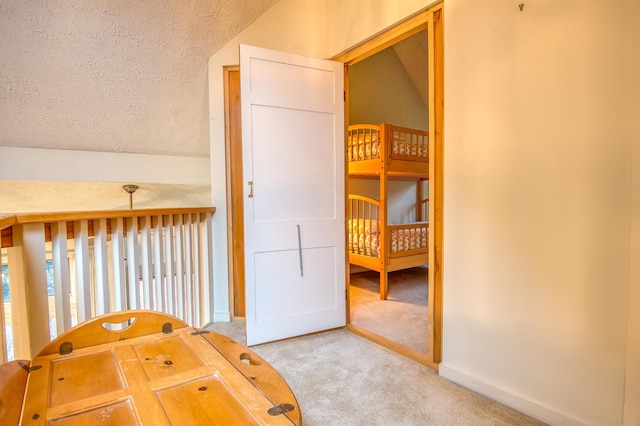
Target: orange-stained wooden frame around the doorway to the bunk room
{"points": [[429, 19]]}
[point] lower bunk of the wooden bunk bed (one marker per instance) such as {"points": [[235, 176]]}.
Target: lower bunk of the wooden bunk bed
{"points": [[382, 247]]}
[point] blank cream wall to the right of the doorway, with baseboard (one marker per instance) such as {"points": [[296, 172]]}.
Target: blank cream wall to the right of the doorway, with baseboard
{"points": [[537, 205]]}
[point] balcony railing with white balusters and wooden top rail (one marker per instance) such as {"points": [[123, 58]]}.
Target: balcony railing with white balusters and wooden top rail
{"points": [[59, 269]]}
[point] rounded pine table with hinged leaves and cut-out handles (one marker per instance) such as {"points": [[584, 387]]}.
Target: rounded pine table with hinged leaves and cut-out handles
{"points": [[156, 371]]}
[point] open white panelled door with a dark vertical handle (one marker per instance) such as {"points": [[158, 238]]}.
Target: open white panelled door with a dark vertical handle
{"points": [[293, 162]]}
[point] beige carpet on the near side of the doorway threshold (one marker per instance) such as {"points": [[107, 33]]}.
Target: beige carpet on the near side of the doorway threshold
{"points": [[342, 379]]}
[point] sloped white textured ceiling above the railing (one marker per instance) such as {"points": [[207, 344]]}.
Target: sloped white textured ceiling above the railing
{"points": [[112, 75]]}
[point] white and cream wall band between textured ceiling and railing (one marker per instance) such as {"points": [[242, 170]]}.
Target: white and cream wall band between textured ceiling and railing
{"points": [[47, 180]]}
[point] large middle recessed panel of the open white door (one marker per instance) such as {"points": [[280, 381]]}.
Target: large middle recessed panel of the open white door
{"points": [[293, 173]]}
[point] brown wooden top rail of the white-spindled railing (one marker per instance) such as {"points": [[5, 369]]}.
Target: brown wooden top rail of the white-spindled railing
{"points": [[7, 221]]}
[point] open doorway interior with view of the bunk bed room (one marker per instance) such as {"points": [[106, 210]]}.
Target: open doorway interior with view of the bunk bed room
{"points": [[391, 86]]}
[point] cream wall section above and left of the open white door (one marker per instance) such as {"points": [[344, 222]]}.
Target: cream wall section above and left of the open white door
{"points": [[318, 28]]}
